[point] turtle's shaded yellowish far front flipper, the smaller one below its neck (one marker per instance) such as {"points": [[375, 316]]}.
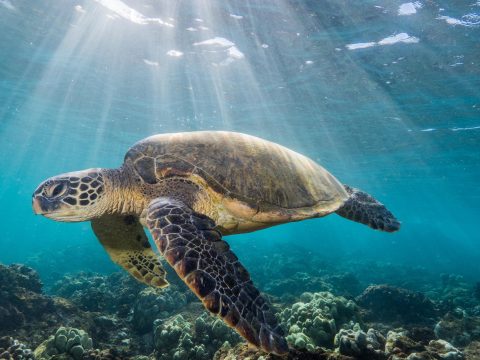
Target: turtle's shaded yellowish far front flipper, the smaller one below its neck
{"points": [[125, 241]]}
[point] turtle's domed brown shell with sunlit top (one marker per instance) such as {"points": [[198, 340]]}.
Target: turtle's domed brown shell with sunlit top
{"points": [[239, 166]]}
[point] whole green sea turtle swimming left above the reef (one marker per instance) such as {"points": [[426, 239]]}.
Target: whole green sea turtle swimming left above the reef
{"points": [[189, 190]]}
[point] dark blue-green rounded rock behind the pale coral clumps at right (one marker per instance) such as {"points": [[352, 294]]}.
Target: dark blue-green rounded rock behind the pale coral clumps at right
{"points": [[385, 303]]}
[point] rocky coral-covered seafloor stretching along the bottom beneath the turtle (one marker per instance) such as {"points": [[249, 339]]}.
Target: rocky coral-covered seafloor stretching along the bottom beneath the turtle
{"points": [[350, 311]]}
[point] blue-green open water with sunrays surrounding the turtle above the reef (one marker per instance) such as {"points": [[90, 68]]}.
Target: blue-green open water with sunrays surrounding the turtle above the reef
{"points": [[81, 81]]}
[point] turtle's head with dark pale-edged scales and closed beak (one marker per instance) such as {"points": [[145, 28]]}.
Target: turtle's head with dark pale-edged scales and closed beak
{"points": [[74, 196]]}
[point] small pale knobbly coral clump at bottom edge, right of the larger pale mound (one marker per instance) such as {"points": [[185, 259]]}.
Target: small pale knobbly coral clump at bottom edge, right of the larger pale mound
{"points": [[359, 344]]}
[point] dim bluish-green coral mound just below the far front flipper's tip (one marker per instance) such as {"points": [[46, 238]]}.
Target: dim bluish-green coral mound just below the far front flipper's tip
{"points": [[152, 304]]}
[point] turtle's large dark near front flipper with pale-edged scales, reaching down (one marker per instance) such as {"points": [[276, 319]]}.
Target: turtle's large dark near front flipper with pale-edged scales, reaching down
{"points": [[191, 245]]}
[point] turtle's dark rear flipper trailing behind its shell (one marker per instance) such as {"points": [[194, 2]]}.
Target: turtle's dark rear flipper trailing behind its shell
{"points": [[363, 208]]}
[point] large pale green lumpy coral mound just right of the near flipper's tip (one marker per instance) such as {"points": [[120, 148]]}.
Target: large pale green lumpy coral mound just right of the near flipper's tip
{"points": [[314, 320]]}
